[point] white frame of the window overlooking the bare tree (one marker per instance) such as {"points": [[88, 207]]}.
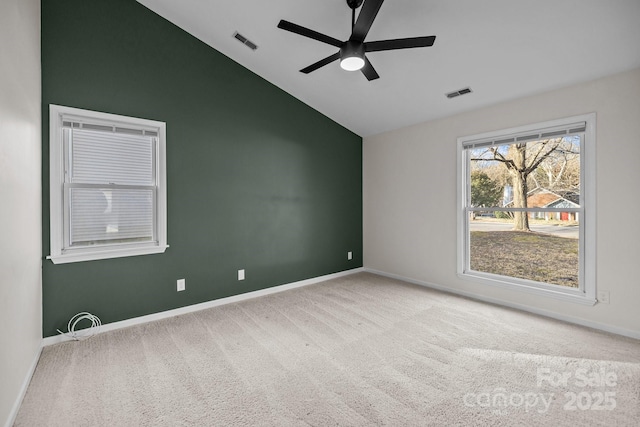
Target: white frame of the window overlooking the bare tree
{"points": [[586, 293]]}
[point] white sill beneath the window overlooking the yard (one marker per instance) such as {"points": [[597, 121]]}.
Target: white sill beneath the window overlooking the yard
{"points": [[570, 295]]}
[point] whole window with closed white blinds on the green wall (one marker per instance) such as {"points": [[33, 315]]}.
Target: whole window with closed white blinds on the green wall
{"points": [[108, 196]]}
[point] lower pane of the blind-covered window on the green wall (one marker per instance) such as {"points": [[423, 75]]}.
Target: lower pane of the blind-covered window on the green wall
{"points": [[110, 216]]}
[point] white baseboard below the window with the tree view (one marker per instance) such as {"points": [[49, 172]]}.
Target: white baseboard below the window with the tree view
{"points": [[558, 316]]}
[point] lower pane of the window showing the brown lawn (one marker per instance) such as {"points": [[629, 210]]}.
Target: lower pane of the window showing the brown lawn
{"points": [[549, 253]]}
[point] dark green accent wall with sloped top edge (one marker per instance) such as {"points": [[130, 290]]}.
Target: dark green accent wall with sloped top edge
{"points": [[256, 179]]}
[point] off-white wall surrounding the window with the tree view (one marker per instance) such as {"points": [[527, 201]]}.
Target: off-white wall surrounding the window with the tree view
{"points": [[410, 197]]}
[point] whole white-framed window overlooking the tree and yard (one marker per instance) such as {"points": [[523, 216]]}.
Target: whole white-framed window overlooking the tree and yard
{"points": [[526, 216]]}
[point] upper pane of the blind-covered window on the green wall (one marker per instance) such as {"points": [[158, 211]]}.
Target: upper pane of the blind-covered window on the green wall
{"points": [[111, 158]]}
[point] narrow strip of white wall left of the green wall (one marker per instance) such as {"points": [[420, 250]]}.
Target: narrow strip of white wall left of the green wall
{"points": [[20, 199]]}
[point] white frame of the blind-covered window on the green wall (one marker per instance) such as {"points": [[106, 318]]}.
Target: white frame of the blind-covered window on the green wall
{"points": [[60, 253]]}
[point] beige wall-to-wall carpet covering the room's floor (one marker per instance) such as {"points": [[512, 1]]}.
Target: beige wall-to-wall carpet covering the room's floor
{"points": [[356, 351]]}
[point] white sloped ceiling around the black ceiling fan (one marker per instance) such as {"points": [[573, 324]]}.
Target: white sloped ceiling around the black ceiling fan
{"points": [[502, 49]]}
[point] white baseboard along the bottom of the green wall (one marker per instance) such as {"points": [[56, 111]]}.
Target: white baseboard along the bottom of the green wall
{"points": [[203, 306]]}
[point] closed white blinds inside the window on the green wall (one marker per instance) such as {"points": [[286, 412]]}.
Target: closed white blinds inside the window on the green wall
{"points": [[109, 184]]}
